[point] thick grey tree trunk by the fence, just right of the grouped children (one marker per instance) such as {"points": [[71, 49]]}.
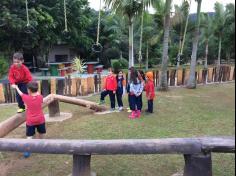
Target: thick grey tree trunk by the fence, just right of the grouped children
{"points": [[164, 82]]}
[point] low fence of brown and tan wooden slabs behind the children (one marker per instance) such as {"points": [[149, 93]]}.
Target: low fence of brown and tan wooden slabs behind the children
{"points": [[84, 86]]}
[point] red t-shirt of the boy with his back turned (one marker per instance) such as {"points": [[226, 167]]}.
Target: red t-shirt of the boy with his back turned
{"points": [[34, 110]]}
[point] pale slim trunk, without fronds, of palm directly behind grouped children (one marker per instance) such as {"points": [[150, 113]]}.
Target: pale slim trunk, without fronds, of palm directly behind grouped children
{"points": [[131, 43]]}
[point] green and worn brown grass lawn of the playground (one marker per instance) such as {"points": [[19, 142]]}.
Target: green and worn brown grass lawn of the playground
{"points": [[206, 111]]}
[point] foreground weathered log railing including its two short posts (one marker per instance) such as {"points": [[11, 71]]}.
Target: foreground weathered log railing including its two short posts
{"points": [[196, 151]]}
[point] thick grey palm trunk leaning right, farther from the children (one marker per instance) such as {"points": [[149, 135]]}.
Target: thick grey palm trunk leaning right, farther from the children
{"points": [[192, 79]]}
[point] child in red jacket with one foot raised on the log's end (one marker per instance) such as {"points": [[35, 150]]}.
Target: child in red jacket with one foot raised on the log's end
{"points": [[110, 87]]}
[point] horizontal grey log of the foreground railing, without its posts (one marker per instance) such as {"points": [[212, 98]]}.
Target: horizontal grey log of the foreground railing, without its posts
{"points": [[112, 147]]}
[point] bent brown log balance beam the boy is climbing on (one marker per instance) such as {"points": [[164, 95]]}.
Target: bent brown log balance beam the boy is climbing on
{"points": [[52, 101]]}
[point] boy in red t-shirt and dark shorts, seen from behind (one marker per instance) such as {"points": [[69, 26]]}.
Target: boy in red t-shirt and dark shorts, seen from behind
{"points": [[34, 112]]}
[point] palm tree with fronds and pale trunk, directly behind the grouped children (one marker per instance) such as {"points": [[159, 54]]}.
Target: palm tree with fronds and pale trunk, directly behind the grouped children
{"points": [[129, 8]]}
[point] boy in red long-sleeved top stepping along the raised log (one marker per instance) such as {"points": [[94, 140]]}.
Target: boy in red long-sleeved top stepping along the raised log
{"points": [[19, 75]]}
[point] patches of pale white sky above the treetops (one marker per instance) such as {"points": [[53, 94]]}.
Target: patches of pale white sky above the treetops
{"points": [[207, 5]]}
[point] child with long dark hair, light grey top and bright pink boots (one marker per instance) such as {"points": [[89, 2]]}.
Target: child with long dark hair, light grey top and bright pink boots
{"points": [[135, 92]]}
